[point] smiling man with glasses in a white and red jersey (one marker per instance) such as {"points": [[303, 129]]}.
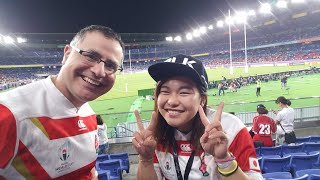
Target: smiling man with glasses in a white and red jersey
{"points": [[47, 128]]}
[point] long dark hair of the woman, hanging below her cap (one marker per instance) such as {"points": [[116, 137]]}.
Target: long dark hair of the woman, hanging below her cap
{"points": [[164, 133]]}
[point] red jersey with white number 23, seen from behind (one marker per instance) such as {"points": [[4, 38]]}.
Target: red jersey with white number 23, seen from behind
{"points": [[264, 125]]}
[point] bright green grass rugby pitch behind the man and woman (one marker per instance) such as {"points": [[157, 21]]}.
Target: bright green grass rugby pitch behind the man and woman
{"points": [[116, 105]]}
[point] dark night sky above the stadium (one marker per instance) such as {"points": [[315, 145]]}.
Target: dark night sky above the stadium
{"points": [[124, 16]]}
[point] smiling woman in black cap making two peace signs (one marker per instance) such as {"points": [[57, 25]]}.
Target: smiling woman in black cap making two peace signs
{"points": [[180, 140]]}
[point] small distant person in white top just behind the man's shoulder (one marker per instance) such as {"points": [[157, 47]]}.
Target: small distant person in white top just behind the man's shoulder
{"points": [[102, 135]]}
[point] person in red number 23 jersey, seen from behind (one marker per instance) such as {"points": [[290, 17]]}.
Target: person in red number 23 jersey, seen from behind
{"points": [[263, 126]]}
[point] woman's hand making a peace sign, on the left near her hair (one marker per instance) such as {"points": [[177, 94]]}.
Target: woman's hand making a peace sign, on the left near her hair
{"points": [[143, 140]]}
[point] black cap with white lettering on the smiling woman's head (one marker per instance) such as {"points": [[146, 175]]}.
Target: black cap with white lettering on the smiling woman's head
{"points": [[180, 65]]}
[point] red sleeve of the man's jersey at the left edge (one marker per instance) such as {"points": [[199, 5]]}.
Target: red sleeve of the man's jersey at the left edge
{"points": [[8, 136]]}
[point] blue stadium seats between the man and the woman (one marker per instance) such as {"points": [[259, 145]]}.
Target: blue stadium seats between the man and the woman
{"points": [[111, 166]]}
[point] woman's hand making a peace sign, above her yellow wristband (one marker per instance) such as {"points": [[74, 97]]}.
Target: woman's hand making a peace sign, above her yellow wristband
{"points": [[214, 140]]}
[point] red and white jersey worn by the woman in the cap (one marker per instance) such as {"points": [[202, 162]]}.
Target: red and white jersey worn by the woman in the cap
{"points": [[203, 166]]}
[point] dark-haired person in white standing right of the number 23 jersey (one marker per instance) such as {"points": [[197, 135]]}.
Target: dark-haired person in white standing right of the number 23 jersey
{"points": [[285, 117]]}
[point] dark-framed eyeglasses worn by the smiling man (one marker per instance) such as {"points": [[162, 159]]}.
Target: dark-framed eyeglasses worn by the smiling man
{"points": [[109, 66]]}
